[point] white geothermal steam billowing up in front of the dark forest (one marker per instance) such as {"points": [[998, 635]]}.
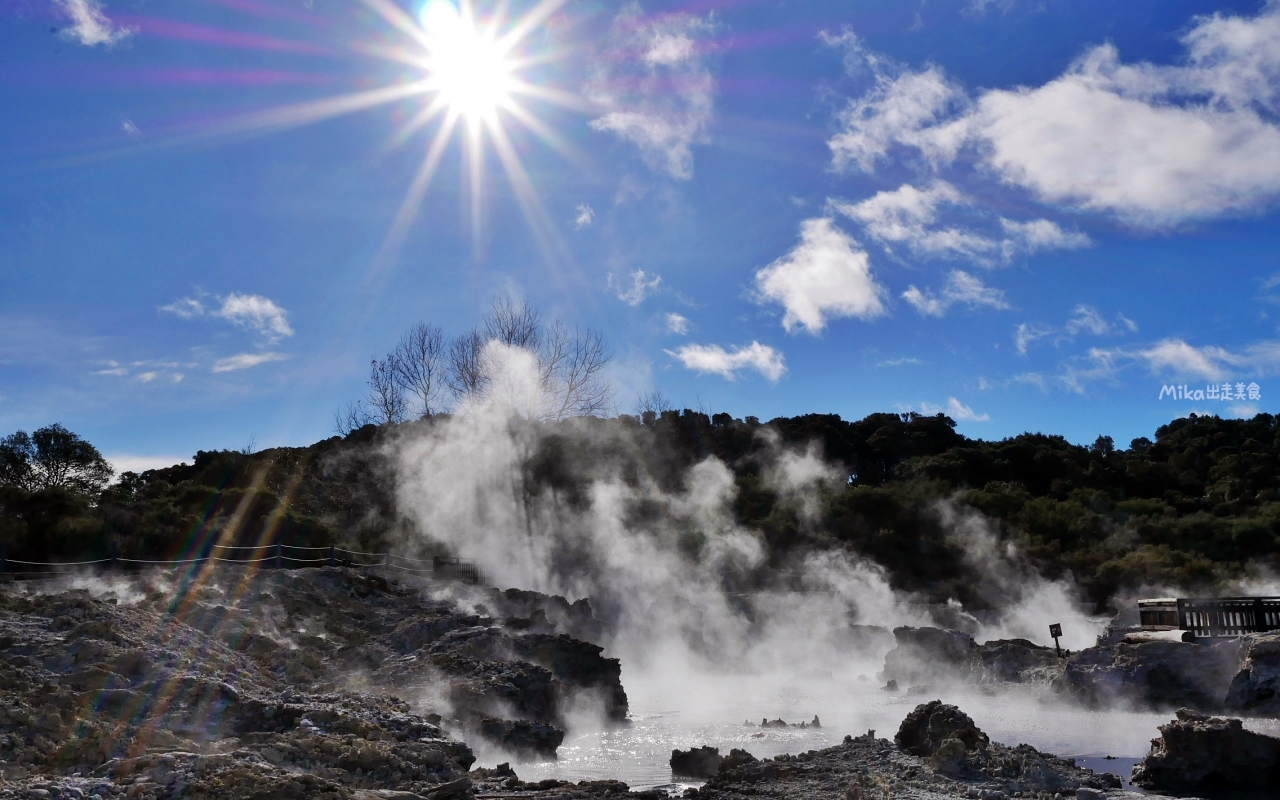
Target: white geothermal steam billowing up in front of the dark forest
{"points": [[665, 578]]}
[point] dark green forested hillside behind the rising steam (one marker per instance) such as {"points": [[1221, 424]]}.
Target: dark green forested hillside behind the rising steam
{"points": [[1194, 509]]}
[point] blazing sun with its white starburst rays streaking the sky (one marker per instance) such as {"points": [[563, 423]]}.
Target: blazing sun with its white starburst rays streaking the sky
{"points": [[476, 72]]}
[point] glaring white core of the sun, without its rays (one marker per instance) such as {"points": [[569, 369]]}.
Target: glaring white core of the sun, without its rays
{"points": [[468, 68]]}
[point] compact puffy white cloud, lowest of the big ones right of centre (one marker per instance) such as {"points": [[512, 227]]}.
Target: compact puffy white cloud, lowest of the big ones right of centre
{"points": [[826, 276]]}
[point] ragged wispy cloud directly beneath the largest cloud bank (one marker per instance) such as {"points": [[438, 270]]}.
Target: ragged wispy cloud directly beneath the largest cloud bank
{"points": [[909, 216]]}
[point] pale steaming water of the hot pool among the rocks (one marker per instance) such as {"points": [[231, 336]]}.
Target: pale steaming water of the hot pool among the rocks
{"points": [[714, 714]]}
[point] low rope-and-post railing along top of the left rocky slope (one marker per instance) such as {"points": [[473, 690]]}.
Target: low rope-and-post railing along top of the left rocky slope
{"points": [[268, 556]]}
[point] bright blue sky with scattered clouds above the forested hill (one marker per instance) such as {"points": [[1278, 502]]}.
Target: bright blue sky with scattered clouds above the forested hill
{"points": [[1030, 216]]}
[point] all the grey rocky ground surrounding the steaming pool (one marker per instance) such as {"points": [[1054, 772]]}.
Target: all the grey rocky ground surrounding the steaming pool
{"points": [[344, 685]]}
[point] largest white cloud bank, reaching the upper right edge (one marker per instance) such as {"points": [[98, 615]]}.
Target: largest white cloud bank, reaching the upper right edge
{"points": [[1151, 144]]}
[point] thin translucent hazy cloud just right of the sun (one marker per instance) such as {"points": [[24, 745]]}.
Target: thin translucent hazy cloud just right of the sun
{"points": [[655, 88]]}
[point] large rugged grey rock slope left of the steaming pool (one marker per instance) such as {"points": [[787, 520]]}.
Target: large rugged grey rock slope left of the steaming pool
{"points": [[284, 684]]}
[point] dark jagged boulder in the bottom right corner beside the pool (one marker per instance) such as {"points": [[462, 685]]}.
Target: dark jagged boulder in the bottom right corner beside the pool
{"points": [[1199, 753]]}
